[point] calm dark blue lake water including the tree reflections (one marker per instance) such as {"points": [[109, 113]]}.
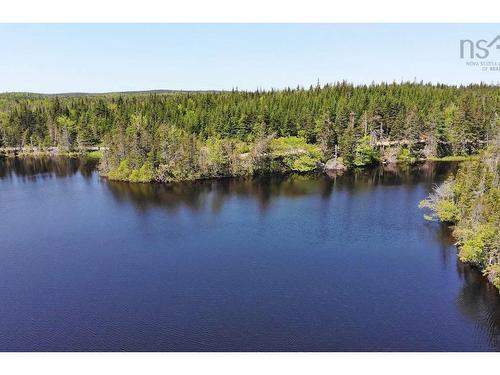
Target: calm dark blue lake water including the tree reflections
{"points": [[297, 263]]}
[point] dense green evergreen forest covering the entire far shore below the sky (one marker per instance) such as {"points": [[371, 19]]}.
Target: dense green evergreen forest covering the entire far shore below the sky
{"points": [[190, 135]]}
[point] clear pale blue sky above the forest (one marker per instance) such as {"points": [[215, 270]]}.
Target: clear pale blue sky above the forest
{"points": [[58, 58]]}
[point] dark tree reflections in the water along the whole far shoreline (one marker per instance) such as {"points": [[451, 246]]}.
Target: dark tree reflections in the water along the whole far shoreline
{"points": [[195, 195]]}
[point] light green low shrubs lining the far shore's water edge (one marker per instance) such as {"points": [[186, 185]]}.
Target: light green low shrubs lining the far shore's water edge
{"points": [[277, 156]]}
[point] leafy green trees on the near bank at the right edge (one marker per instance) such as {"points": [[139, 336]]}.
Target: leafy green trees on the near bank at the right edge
{"points": [[471, 202]]}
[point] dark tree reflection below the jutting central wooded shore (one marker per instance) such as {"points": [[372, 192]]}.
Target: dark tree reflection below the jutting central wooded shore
{"points": [[198, 194]]}
